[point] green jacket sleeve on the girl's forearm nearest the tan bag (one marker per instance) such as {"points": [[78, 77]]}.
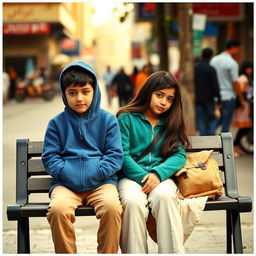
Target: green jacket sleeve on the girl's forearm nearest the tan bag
{"points": [[171, 165]]}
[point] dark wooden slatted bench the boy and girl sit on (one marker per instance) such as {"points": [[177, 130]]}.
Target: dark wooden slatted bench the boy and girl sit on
{"points": [[32, 178]]}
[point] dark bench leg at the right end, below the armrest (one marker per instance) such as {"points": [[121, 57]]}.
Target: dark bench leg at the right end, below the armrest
{"points": [[237, 235]]}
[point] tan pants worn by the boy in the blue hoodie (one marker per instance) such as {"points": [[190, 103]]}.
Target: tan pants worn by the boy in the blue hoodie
{"points": [[61, 215]]}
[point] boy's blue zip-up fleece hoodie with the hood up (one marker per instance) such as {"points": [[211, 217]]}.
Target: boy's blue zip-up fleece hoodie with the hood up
{"points": [[82, 153]]}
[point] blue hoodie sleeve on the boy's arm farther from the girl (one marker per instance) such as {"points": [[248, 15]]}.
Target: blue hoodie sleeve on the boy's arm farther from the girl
{"points": [[51, 158]]}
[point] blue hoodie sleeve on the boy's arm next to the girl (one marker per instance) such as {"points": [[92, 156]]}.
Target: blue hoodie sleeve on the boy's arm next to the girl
{"points": [[113, 155]]}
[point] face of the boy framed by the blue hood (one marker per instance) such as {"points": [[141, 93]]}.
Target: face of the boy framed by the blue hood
{"points": [[79, 98]]}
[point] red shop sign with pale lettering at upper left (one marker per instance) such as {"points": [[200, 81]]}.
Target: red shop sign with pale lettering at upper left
{"points": [[26, 28]]}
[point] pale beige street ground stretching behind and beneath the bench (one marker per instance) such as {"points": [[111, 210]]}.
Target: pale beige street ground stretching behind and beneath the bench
{"points": [[29, 120]]}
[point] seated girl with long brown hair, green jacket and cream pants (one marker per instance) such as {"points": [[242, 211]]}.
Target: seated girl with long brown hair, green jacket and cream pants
{"points": [[146, 183]]}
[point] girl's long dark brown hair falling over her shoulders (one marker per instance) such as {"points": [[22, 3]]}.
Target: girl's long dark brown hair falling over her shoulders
{"points": [[176, 134]]}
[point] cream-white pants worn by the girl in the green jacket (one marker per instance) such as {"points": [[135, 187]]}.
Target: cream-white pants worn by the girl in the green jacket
{"points": [[165, 207]]}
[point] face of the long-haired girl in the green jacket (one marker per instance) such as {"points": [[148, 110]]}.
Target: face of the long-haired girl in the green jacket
{"points": [[161, 101]]}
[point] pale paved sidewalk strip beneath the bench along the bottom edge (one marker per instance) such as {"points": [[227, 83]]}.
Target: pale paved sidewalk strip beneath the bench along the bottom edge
{"points": [[203, 240]]}
